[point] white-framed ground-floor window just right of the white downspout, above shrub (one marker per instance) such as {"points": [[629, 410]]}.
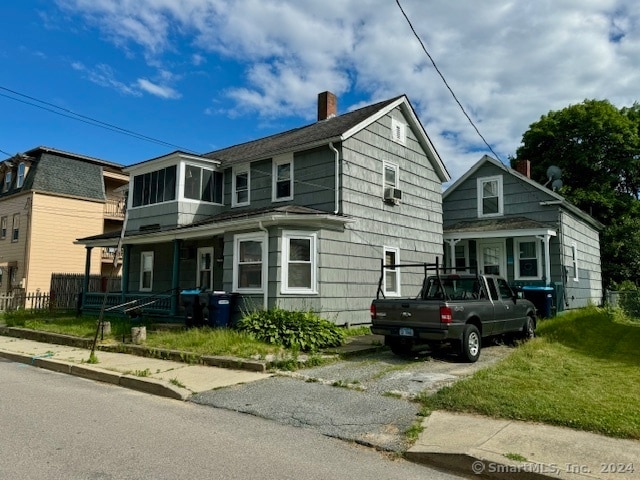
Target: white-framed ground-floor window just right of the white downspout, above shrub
{"points": [[299, 264]]}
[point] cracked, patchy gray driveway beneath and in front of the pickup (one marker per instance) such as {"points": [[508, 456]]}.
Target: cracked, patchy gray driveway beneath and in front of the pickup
{"points": [[373, 408]]}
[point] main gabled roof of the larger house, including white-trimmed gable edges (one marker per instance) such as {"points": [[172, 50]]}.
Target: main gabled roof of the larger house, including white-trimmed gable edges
{"points": [[335, 129]]}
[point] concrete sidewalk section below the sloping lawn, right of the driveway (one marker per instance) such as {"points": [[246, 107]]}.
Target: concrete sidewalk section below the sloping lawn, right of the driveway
{"points": [[474, 444]]}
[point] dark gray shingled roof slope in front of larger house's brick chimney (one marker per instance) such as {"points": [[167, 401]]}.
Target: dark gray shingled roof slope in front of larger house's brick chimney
{"points": [[297, 138]]}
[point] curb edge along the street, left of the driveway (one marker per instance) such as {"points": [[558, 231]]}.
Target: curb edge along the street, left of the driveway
{"points": [[89, 372]]}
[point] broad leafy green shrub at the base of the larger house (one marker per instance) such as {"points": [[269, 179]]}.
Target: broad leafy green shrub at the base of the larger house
{"points": [[304, 331]]}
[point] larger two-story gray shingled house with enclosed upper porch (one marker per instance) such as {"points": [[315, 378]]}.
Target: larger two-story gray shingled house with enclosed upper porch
{"points": [[300, 220]]}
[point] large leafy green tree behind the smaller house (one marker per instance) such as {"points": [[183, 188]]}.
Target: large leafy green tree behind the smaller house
{"points": [[597, 148]]}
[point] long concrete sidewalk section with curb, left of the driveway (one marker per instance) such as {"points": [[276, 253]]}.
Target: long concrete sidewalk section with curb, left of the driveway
{"points": [[167, 378]]}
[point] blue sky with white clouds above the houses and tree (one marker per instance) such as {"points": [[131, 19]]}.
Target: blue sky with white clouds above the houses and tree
{"points": [[199, 75]]}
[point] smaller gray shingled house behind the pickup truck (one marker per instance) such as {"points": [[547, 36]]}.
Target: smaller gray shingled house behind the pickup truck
{"points": [[498, 220]]}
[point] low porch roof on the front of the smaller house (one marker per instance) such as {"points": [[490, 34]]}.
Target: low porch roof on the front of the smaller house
{"points": [[498, 227]]}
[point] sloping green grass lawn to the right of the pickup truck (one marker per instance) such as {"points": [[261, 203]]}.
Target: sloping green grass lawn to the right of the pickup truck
{"points": [[582, 371]]}
